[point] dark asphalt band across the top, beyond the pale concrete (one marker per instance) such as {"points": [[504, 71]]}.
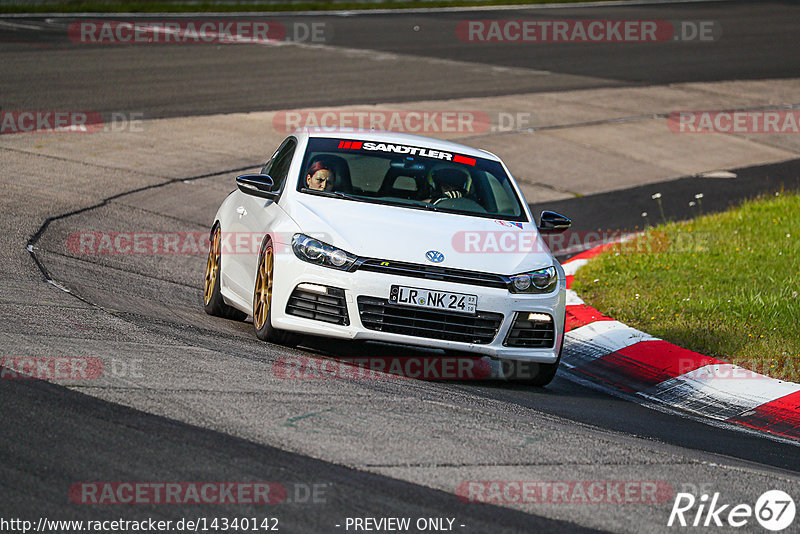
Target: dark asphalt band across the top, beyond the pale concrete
{"points": [[751, 41]]}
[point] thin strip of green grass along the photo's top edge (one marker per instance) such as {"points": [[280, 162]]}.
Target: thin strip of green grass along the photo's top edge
{"points": [[182, 6]]}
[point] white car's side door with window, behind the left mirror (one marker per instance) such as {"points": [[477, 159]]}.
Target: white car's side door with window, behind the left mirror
{"points": [[257, 215]]}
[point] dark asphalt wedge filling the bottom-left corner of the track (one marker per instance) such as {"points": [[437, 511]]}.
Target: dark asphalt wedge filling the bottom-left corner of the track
{"points": [[88, 436]]}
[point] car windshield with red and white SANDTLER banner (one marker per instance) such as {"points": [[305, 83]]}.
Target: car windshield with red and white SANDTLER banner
{"points": [[409, 176]]}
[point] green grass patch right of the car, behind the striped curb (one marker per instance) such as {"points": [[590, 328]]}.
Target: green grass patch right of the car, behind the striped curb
{"points": [[724, 285]]}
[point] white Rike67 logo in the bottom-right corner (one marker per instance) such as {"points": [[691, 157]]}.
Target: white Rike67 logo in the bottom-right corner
{"points": [[774, 510]]}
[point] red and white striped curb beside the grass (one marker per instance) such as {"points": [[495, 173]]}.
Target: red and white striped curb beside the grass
{"points": [[605, 352]]}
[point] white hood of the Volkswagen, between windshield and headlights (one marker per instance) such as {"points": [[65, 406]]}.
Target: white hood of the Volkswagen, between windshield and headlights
{"points": [[406, 234]]}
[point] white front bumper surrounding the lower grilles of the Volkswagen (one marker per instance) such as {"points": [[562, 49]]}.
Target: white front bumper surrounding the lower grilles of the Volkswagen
{"points": [[290, 272]]}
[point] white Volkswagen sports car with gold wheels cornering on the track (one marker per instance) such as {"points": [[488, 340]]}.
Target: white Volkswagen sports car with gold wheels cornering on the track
{"points": [[389, 237]]}
